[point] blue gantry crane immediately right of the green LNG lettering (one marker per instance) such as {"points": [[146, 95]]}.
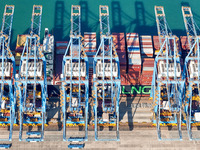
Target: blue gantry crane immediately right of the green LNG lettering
{"points": [[167, 84]]}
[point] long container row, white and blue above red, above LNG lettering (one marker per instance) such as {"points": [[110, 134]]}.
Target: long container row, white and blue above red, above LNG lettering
{"points": [[134, 58]]}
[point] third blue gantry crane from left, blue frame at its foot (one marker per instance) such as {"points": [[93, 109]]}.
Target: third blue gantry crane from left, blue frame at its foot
{"points": [[74, 88]]}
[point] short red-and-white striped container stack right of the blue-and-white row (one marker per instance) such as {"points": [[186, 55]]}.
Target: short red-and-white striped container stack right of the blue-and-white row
{"points": [[146, 46]]}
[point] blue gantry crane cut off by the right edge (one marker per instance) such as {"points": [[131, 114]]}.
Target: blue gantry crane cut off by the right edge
{"points": [[192, 74]]}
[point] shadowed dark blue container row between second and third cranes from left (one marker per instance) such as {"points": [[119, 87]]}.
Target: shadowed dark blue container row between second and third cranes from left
{"points": [[61, 47]]}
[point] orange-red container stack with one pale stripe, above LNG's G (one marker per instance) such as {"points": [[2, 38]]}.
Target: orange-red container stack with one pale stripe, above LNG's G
{"points": [[147, 71]]}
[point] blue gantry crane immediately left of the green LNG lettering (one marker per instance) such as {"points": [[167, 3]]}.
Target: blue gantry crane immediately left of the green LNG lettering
{"points": [[106, 78]]}
